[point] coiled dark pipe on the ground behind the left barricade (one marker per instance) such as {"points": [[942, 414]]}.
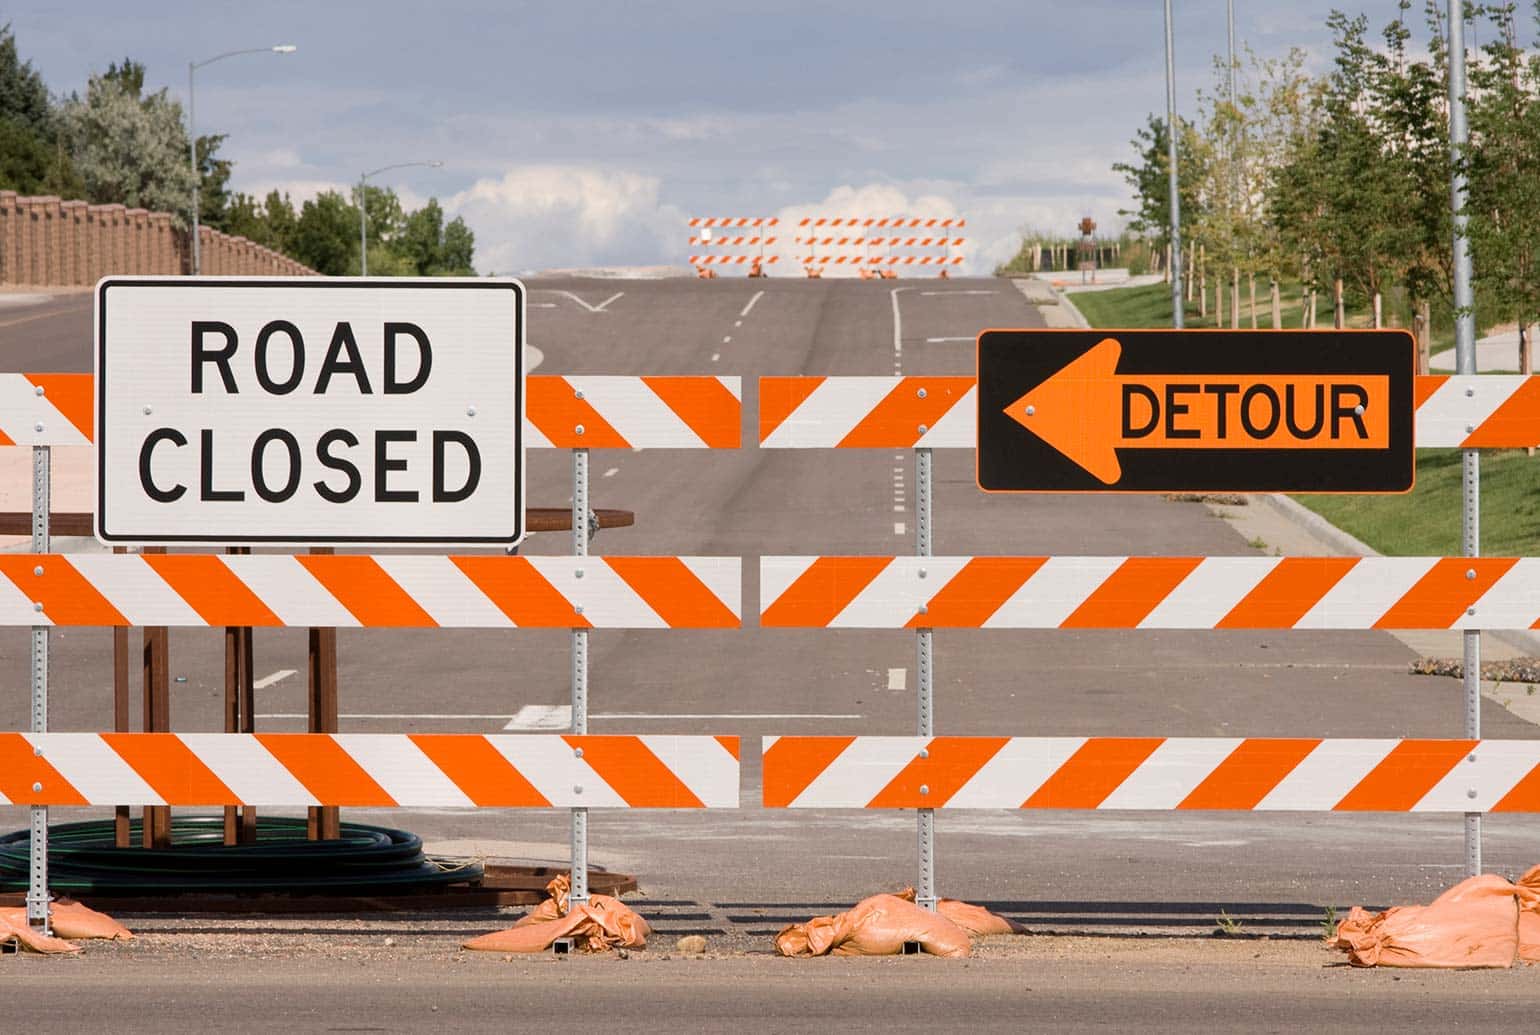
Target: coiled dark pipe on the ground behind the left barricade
{"points": [[84, 859]]}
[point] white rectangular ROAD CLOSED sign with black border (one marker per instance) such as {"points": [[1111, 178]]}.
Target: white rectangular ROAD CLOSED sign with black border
{"points": [[310, 412]]}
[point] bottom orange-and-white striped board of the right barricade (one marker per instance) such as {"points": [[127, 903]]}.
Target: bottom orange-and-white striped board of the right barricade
{"points": [[1151, 774]]}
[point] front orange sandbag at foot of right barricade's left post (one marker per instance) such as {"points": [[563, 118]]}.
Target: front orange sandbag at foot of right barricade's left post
{"points": [[877, 926]]}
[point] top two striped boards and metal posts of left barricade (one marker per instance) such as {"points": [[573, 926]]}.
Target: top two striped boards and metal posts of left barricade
{"points": [[563, 412]]}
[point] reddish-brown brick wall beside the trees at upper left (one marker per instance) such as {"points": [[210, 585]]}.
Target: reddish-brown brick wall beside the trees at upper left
{"points": [[52, 243]]}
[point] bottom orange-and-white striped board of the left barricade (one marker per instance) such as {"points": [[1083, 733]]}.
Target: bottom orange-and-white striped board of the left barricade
{"points": [[375, 771]]}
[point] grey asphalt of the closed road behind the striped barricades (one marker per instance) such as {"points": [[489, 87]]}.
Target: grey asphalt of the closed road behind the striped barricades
{"points": [[1080, 868]]}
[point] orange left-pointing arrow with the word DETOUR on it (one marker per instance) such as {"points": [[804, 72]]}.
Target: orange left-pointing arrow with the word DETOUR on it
{"points": [[1088, 412]]}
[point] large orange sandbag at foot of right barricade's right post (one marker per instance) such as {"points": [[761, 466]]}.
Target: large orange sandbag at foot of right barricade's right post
{"points": [[1473, 925]]}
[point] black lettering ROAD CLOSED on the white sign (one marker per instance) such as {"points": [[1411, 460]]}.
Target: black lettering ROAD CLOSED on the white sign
{"points": [[389, 466]]}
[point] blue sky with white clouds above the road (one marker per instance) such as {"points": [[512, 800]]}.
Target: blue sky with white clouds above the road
{"points": [[583, 133]]}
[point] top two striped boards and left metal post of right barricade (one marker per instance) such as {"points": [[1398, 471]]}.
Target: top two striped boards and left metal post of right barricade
{"points": [[925, 592]]}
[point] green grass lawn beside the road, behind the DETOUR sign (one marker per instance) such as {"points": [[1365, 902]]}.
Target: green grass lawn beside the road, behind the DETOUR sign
{"points": [[1422, 523]]}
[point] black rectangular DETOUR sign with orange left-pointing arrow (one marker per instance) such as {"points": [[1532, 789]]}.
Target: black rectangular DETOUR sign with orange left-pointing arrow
{"points": [[1159, 412]]}
